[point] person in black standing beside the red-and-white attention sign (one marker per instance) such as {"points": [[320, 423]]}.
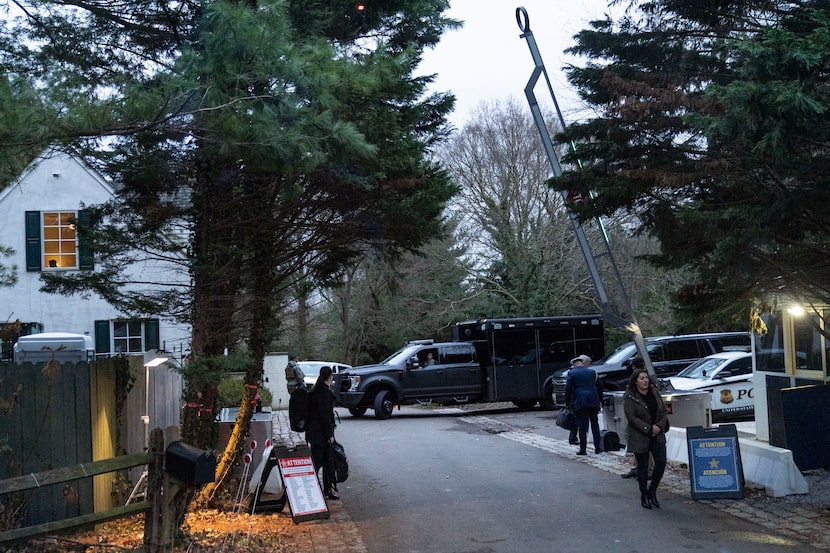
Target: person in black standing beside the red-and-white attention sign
{"points": [[319, 431]]}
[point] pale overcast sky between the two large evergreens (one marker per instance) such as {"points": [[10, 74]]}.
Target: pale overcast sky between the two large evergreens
{"points": [[486, 59]]}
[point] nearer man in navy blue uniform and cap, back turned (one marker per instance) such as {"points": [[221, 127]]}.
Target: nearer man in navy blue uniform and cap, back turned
{"points": [[583, 393]]}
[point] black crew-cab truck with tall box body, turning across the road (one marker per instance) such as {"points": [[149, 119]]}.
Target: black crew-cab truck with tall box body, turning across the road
{"points": [[489, 360]]}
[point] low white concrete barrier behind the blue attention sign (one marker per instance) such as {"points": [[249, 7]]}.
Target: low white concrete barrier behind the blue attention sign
{"points": [[765, 466]]}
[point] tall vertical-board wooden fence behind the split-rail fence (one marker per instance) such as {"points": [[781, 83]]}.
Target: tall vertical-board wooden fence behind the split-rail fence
{"points": [[66, 416]]}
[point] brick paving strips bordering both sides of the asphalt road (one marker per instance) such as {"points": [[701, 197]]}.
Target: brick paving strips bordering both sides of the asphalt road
{"points": [[803, 523]]}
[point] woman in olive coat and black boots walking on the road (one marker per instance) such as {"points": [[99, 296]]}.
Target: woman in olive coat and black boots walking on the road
{"points": [[647, 422]]}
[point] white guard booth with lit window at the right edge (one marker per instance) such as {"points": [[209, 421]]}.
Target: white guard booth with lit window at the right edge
{"points": [[792, 396]]}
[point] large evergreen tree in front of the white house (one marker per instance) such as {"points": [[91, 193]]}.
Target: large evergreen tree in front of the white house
{"points": [[272, 133]]}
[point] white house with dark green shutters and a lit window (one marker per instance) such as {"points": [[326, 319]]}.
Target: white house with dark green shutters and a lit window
{"points": [[39, 211]]}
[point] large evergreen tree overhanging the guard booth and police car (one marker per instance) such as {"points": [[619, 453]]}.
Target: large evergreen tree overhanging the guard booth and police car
{"points": [[712, 130]]}
